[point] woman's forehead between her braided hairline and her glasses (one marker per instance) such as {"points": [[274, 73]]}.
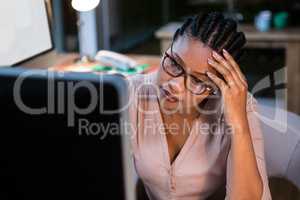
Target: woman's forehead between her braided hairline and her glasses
{"points": [[193, 53]]}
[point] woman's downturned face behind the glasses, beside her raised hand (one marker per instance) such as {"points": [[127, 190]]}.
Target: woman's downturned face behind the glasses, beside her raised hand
{"points": [[192, 56]]}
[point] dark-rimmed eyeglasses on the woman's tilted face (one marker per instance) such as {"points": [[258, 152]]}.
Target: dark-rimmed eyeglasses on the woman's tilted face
{"points": [[192, 83]]}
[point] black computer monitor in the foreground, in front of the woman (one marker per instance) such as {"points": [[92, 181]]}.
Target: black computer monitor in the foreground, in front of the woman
{"points": [[63, 136]]}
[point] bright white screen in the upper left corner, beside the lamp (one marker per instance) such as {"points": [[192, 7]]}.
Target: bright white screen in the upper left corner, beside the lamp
{"points": [[25, 30]]}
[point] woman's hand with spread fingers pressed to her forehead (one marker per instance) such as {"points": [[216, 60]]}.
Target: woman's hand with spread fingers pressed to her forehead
{"points": [[234, 89]]}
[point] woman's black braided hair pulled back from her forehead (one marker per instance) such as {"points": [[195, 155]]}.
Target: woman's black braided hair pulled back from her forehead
{"points": [[215, 31]]}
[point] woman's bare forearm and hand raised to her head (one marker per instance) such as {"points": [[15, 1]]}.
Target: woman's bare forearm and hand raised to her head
{"points": [[245, 180]]}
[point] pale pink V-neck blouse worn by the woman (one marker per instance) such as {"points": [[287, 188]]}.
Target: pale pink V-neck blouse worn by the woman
{"points": [[204, 162]]}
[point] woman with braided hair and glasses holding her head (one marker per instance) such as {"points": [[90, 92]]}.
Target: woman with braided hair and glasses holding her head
{"points": [[194, 123]]}
